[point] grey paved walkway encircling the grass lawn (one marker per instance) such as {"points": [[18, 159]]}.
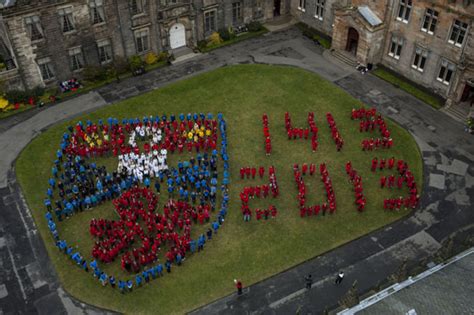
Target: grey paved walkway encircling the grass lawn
{"points": [[446, 204]]}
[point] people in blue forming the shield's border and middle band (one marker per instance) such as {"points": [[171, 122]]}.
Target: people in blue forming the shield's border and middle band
{"points": [[76, 185]]}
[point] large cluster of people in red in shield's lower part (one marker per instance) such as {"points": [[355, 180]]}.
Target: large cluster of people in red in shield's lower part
{"points": [[139, 204]]}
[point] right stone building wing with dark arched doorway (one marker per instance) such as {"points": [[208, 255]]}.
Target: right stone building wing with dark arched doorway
{"points": [[429, 42]]}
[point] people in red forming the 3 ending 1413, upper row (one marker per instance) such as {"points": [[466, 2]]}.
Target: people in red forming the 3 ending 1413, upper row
{"points": [[370, 120]]}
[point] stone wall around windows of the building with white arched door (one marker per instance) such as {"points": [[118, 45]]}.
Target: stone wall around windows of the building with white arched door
{"points": [[119, 29]]}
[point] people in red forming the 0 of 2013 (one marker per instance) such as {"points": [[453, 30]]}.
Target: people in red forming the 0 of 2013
{"points": [[329, 204]]}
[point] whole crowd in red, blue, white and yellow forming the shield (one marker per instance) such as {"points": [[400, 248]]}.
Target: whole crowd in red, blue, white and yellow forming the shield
{"points": [[77, 185]]}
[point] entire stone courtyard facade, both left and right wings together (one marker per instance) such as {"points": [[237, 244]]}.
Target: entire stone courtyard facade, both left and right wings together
{"points": [[428, 42]]}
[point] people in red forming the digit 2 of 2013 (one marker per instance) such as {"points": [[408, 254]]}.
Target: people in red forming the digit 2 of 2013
{"points": [[259, 191]]}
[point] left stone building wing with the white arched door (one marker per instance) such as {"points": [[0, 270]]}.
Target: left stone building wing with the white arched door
{"points": [[46, 41]]}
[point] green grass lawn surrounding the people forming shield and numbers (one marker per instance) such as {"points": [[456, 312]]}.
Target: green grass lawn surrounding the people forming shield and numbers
{"points": [[249, 251]]}
